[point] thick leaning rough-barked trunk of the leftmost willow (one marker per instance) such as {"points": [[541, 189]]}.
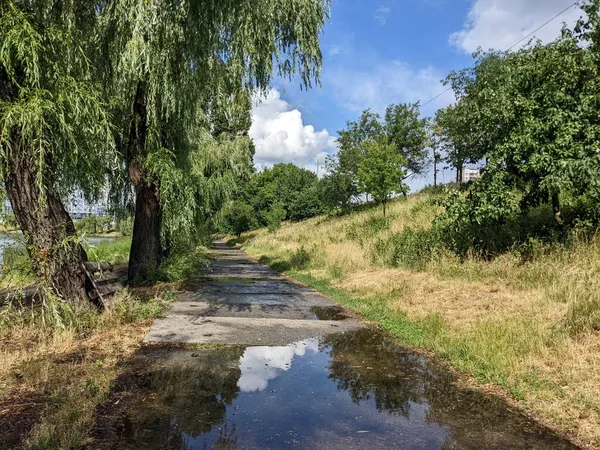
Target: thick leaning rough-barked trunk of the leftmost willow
{"points": [[49, 231]]}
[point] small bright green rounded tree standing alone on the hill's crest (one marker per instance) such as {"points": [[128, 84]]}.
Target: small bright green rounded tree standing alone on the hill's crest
{"points": [[380, 172]]}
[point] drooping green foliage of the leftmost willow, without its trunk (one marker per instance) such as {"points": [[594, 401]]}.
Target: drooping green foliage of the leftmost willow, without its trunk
{"points": [[49, 96]]}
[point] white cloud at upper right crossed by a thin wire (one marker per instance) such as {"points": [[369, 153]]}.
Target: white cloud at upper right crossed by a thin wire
{"points": [[498, 24]]}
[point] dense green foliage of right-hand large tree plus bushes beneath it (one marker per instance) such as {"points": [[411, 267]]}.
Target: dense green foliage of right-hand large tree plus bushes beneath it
{"points": [[532, 114]]}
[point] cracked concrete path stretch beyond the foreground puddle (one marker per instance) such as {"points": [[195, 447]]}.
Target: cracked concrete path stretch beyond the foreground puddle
{"points": [[242, 302]]}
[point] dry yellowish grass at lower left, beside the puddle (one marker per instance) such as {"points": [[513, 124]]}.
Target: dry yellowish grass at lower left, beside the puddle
{"points": [[64, 374]]}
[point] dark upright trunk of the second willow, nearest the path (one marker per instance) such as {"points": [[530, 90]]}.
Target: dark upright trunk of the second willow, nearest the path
{"points": [[145, 255]]}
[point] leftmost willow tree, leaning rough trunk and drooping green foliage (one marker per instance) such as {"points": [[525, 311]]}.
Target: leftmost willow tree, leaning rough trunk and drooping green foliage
{"points": [[54, 131]]}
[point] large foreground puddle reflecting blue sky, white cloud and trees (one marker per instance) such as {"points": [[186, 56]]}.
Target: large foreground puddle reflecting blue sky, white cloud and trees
{"points": [[348, 391]]}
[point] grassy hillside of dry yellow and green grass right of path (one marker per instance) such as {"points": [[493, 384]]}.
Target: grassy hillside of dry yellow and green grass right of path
{"points": [[522, 324]]}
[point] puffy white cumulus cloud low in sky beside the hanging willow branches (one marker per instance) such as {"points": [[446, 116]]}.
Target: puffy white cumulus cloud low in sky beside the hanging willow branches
{"points": [[280, 135]]}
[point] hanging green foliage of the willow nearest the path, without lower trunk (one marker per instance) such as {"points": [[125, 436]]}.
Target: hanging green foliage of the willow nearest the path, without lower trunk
{"points": [[190, 92]]}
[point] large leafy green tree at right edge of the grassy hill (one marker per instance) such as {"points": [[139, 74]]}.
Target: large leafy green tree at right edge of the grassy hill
{"points": [[536, 123]]}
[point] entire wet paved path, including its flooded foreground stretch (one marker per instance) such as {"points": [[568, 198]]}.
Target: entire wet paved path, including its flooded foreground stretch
{"points": [[347, 387]]}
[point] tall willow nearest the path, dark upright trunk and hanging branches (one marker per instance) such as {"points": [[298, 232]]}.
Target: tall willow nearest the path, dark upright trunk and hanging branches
{"points": [[161, 58]]}
